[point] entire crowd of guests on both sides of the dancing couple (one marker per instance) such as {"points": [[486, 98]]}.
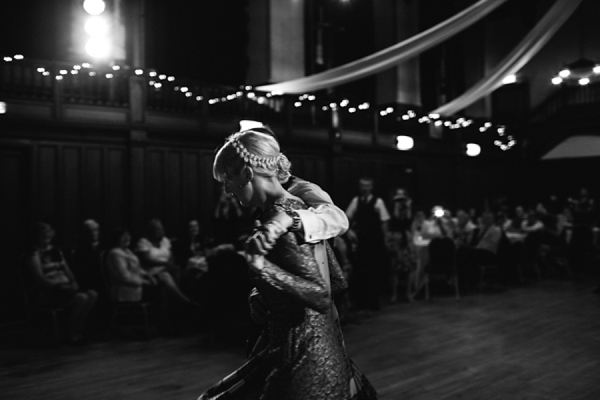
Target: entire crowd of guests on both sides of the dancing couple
{"points": [[202, 278]]}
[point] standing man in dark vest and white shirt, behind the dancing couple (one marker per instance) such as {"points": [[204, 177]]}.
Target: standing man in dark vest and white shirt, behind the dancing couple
{"points": [[368, 220]]}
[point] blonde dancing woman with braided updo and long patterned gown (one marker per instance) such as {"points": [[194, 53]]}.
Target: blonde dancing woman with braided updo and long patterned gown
{"points": [[305, 356]]}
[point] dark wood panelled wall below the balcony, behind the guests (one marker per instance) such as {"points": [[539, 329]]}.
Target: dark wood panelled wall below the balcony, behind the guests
{"points": [[66, 178]]}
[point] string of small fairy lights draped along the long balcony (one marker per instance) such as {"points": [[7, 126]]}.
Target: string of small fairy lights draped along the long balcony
{"points": [[159, 81]]}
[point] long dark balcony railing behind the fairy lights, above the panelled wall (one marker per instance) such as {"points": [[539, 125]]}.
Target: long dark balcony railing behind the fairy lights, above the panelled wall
{"points": [[60, 85]]}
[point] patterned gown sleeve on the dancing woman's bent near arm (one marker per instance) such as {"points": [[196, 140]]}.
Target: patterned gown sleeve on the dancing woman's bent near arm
{"points": [[292, 269]]}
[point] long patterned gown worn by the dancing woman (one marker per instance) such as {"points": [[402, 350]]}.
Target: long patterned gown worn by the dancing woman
{"points": [[301, 354]]}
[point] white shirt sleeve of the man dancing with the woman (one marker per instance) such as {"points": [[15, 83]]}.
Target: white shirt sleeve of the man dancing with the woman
{"points": [[323, 220]]}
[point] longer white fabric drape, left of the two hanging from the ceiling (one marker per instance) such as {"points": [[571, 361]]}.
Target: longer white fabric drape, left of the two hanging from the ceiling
{"points": [[390, 56]]}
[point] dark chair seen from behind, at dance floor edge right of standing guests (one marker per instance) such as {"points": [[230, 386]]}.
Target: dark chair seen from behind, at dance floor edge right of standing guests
{"points": [[442, 264]]}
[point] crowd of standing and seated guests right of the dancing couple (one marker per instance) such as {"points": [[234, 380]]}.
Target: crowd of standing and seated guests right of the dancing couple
{"points": [[551, 239]]}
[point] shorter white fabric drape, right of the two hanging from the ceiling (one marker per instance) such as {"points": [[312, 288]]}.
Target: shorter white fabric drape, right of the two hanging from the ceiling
{"points": [[515, 60]]}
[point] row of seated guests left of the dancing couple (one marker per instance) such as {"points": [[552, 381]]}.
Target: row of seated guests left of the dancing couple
{"points": [[189, 281]]}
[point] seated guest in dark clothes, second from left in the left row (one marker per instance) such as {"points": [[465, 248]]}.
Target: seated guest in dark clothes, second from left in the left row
{"points": [[87, 256]]}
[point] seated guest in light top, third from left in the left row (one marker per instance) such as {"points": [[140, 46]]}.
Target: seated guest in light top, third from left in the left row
{"points": [[125, 276]]}
